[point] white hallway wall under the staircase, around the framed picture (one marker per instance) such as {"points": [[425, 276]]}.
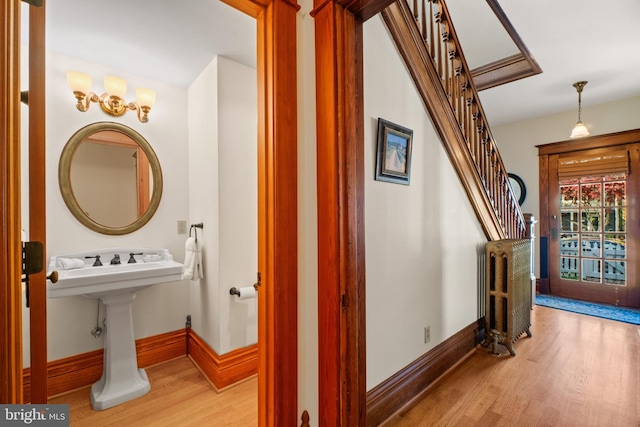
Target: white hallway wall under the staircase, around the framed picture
{"points": [[422, 240]]}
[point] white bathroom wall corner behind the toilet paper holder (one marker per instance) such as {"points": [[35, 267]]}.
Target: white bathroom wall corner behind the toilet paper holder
{"points": [[223, 196]]}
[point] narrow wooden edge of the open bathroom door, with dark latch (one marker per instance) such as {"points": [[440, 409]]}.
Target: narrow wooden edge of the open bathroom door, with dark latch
{"points": [[37, 201]]}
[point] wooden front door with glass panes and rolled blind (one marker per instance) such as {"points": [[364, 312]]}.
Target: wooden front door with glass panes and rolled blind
{"points": [[593, 234]]}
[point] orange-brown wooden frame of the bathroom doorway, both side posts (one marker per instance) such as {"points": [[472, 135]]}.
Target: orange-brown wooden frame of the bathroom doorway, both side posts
{"points": [[277, 140]]}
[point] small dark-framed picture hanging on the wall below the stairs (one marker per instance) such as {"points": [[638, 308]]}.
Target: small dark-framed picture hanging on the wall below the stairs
{"points": [[395, 144]]}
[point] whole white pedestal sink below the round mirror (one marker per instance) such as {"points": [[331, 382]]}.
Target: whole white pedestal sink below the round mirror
{"points": [[116, 286]]}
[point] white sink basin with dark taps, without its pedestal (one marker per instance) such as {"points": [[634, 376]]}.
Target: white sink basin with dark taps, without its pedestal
{"points": [[152, 267]]}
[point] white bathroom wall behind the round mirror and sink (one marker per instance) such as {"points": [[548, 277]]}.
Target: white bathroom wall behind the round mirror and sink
{"points": [[158, 309]]}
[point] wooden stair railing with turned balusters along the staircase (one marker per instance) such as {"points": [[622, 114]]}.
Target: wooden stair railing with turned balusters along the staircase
{"points": [[443, 46]]}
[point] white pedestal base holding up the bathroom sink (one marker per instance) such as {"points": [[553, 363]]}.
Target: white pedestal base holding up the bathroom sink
{"points": [[121, 379]]}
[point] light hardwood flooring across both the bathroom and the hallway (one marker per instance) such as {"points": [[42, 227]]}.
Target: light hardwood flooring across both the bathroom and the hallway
{"points": [[575, 371]]}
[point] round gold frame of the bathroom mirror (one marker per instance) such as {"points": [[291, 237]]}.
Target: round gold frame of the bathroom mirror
{"points": [[64, 178]]}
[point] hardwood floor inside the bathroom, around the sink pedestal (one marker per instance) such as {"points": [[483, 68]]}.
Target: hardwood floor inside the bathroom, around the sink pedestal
{"points": [[180, 396]]}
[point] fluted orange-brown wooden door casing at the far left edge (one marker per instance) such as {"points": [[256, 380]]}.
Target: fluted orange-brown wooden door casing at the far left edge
{"points": [[10, 236]]}
